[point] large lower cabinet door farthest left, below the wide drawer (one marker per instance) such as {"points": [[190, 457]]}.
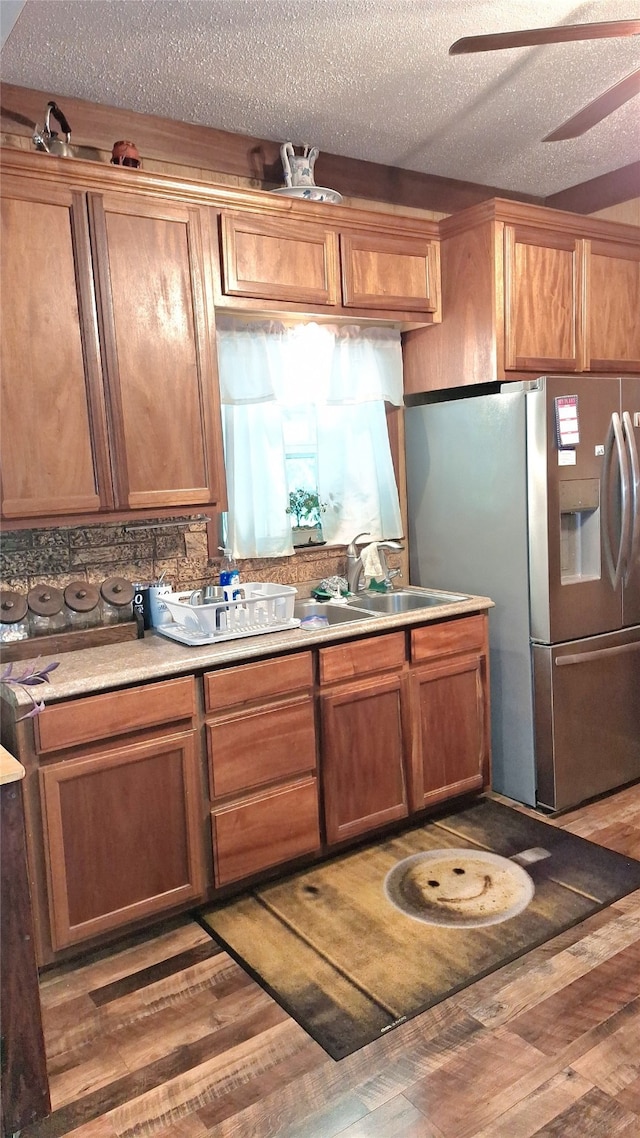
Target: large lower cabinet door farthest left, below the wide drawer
{"points": [[122, 836]]}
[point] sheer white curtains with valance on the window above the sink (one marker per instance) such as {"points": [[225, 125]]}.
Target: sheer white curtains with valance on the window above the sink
{"points": [[342, 375]]}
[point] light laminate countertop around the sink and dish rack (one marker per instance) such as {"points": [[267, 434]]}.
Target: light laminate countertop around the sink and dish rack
{"points": [[155, 657]]}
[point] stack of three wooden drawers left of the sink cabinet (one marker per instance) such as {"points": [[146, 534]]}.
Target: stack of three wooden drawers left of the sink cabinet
{"points": [[262, 763]]}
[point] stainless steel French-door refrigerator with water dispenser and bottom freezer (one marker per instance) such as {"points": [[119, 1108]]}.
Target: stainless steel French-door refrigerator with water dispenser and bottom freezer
{"points": [[531, 497]]}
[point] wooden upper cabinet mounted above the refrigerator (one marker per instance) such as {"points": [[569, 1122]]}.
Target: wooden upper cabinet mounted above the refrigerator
{"points": [[528, 292]]}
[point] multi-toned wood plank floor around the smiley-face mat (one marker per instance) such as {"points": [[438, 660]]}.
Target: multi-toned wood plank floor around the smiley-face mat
{"points": [[165, 1035]]}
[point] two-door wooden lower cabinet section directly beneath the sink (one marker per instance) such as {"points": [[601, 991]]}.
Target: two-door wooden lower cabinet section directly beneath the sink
{"points": [[404, 727]]}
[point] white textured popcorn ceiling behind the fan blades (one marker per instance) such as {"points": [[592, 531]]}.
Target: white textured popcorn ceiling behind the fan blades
{"points": [[366, 79]]}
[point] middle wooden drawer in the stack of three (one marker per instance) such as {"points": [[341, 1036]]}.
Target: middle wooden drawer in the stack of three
{"points": [[252, 749]]}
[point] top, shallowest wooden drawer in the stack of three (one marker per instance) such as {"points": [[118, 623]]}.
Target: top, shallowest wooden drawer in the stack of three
{"points": [[232, 687]]}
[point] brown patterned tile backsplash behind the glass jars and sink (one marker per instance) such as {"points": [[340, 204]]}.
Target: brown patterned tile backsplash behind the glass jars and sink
{"points": [[142, 551]]}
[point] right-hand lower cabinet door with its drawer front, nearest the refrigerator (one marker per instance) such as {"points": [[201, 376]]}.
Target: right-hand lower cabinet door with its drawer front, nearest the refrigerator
{"points": [[450, 711]]}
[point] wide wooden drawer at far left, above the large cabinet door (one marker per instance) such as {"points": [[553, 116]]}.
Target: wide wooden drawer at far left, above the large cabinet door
{"points": [[114, 714]]}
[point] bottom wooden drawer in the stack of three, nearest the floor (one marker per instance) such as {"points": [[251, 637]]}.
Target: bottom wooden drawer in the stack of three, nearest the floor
{"points": [[265, 832]]}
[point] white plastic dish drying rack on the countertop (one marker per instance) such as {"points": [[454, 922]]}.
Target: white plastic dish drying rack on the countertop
{"points": [[262, 608]]}
